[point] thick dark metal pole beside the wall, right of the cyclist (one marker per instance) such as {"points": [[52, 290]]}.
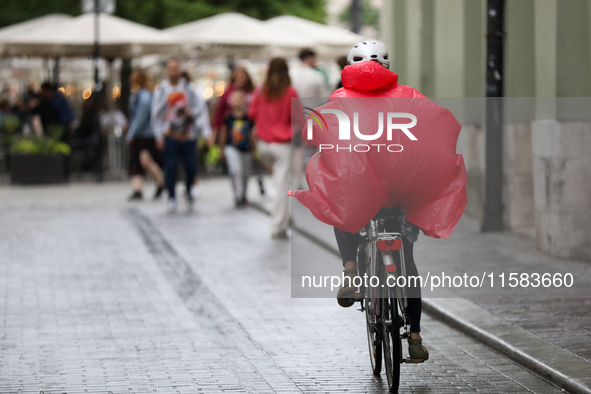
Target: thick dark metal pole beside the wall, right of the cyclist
{"points": [[493, 206]]}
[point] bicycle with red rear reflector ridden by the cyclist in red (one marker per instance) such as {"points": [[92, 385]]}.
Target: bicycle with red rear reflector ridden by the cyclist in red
{"points": [[381, 255]]}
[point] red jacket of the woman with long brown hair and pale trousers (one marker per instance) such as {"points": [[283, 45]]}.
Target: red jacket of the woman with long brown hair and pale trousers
{"points": [[272, 118]]}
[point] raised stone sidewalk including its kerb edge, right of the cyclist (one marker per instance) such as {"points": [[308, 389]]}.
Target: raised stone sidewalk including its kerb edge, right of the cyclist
{"points": [[530, 330]]}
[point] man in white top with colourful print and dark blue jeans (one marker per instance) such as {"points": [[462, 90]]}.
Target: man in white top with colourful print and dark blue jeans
{"points": [[175, 108]]}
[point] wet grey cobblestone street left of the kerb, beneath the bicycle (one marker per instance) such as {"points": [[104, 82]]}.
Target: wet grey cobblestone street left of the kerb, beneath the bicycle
{"points": [[100, 296]]}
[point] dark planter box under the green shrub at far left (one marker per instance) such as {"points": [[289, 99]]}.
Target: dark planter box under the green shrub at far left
{"points": [[37, 169]]}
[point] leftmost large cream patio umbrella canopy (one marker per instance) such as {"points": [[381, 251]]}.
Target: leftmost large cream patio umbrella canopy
{"points": [[75, 37]]}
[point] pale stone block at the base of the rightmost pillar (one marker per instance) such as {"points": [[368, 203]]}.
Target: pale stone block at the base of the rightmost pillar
{"points": [[562, 186]]}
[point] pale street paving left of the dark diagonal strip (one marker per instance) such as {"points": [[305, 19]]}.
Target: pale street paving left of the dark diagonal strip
{"points": [[83, 307]]}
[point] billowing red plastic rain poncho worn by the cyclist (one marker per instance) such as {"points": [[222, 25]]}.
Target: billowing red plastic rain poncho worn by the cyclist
{"points": [[427, 178]]}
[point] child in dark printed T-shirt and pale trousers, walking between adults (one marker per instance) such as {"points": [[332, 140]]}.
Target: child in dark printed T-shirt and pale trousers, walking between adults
{"points": [[237, 143]]}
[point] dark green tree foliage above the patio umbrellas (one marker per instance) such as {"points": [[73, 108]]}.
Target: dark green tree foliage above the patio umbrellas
{"points": [[166, 13]]}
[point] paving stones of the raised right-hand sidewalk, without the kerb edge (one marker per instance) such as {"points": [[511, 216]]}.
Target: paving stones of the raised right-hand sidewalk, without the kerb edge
{"points": [[564, 322]]}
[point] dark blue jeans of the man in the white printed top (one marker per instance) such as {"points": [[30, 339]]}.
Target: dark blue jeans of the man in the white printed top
{"points": [[187, 151]]}
